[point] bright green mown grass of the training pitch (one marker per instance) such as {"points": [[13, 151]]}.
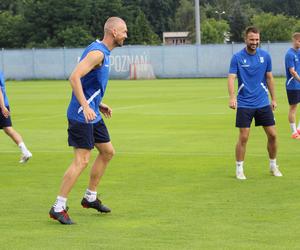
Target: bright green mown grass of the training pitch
{"points": [[171, 184]]}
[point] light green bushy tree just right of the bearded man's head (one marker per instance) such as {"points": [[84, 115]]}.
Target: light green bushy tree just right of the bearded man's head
{"points": [[275, 27]]}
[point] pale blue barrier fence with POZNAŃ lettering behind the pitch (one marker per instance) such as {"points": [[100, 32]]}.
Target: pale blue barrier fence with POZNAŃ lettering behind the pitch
{"points": [[167, 61]]}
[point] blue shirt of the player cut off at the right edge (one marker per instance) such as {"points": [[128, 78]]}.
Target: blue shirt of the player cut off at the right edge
{"points": [[292, 60]]}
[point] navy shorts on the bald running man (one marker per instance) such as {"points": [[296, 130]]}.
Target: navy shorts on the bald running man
{"points": [[85, 135]]}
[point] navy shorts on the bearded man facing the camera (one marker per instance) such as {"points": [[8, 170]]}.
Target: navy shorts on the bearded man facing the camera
{"points": [[263, 117]]}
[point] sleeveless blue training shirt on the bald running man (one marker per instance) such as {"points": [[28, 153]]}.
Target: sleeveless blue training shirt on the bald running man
{"points": [[93, 84]]}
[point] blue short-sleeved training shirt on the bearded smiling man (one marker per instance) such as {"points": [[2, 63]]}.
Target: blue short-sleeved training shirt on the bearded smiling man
{"points": [[251, 73]]}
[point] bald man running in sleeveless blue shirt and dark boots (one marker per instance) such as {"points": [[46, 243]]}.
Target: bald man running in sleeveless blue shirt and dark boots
{"points": [[86, 127]]}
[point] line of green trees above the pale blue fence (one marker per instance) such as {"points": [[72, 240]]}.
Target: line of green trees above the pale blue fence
{"points": [[75, 23]]}
